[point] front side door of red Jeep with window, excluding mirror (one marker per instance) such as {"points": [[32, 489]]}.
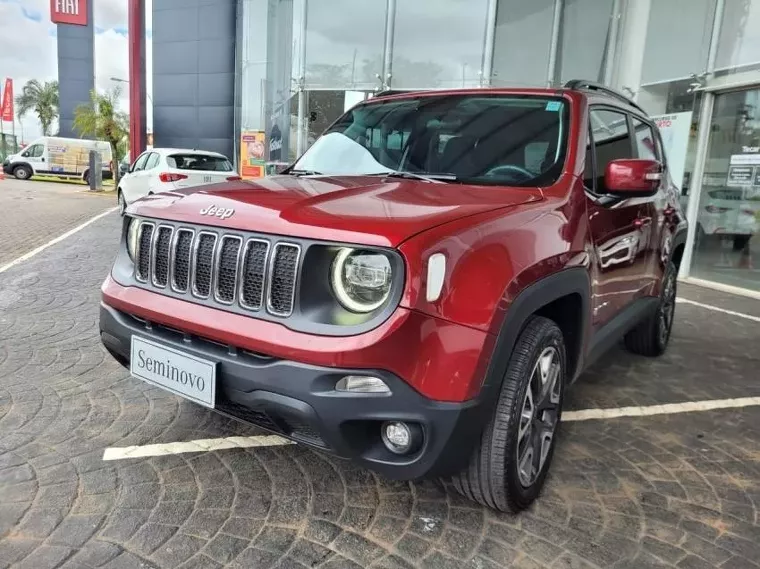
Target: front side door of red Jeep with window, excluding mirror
{"points": [[621, 229]]}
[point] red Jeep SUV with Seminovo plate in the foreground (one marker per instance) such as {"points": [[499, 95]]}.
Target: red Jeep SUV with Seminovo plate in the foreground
{"points": [[419, 288]]}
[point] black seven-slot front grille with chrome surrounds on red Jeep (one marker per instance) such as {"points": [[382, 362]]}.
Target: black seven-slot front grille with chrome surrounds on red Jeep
{"points": [[224, 268]]}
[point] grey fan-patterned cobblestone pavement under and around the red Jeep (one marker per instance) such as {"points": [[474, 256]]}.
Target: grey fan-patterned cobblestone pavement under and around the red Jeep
{"points": [[665, 491]]}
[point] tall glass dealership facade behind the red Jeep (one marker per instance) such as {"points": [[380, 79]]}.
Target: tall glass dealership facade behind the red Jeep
{"points": [[693, 63]]}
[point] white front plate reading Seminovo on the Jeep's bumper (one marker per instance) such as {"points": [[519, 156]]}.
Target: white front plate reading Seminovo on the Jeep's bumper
{"points": [[185, 375]]}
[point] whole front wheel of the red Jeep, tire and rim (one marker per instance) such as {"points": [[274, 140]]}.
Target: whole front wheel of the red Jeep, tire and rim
{"points": [[508, 468]]}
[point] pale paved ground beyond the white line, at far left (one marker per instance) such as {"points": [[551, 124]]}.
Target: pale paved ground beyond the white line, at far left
{"points": [[35, 212]]}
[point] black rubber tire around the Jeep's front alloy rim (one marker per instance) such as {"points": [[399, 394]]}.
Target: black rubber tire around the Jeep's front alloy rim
{"points": [[493, 478]]}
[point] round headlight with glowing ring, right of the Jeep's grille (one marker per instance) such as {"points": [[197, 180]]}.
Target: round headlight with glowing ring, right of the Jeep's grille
{"points": [[361, 280]]}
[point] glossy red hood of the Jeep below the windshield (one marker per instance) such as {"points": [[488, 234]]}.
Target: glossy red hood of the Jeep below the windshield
{"points": [[358, 209]]}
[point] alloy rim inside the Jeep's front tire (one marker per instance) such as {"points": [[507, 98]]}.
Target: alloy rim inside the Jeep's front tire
{"points": [[539, 416]]}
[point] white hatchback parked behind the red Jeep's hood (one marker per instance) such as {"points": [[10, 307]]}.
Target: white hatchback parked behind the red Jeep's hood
{"points": [[166, 169]]}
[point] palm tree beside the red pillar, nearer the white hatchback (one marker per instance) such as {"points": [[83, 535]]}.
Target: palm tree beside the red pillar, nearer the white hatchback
{"points": [[102, 120]]}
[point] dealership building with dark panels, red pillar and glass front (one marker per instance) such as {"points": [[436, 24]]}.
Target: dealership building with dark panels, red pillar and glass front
{"points": [[260, 79]]}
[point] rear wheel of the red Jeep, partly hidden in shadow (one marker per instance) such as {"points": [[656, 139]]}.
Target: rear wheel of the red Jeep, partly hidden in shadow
{"points": [[651, 336]]}
